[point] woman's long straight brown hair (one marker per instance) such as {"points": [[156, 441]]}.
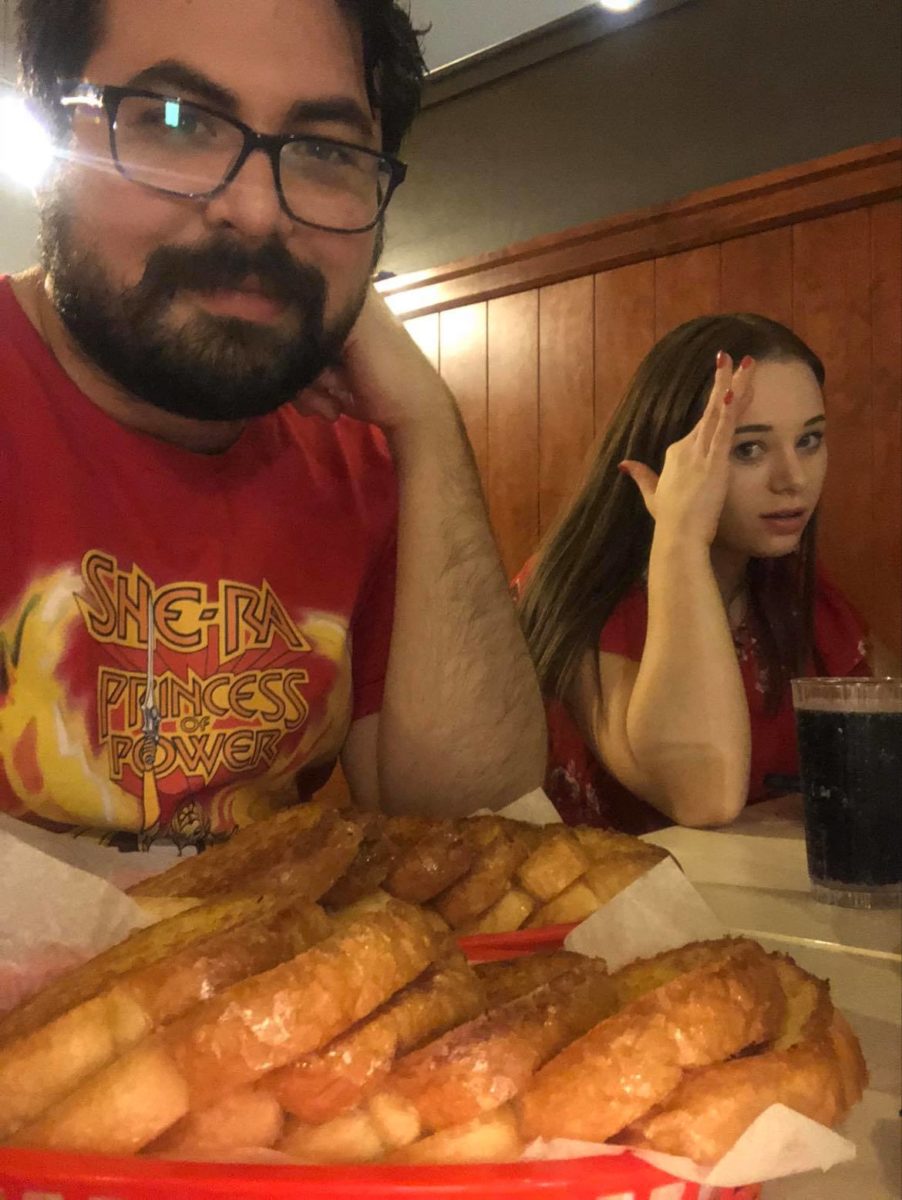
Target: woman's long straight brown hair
{"points": [[599, 548]]}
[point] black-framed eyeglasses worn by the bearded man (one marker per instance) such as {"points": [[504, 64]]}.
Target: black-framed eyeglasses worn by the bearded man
{"points": [[181, 148]]}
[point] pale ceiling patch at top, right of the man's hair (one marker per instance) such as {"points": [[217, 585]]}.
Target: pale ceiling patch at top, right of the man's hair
{"points": [[461, 28]]}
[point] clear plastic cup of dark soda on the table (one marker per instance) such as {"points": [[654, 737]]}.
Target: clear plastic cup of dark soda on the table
{"points": [[851, 757]]}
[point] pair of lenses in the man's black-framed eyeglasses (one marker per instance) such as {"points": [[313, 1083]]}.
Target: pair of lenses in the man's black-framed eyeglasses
{"points": [[181, 148]]}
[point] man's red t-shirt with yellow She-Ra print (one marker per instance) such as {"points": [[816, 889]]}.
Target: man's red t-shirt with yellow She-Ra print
{"points": [[267, 574]]}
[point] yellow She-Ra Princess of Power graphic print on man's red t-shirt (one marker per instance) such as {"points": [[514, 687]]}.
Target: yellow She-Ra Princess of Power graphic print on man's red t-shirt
{"points": [[179, 710]]}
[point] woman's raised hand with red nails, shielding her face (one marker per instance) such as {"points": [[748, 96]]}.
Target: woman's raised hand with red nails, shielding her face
{"points": [[688, 497]]}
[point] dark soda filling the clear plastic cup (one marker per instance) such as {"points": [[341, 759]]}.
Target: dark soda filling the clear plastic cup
{"points": [[852, 779]]}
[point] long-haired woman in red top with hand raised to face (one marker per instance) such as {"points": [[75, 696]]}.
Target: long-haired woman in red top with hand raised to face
{"points": [[677, 597]]}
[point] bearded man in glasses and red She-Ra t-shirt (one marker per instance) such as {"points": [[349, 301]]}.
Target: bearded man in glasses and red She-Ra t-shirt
{"points": [[243, 532]]}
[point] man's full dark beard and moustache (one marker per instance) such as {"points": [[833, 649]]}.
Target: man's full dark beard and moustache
{"points": [[211, 368]]}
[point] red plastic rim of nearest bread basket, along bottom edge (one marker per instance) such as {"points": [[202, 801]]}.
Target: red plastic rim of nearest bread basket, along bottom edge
{"points": [[39, 1175]]}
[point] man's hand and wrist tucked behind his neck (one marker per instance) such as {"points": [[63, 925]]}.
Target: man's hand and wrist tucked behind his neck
{"points": [[386, 379]]}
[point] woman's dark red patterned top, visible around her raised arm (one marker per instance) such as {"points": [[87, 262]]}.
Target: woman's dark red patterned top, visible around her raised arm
{"points": [[586, 794]]}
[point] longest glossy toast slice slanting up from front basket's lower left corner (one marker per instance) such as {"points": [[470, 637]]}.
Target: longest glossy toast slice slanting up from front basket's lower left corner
{"points": [[233, 1040]]}
